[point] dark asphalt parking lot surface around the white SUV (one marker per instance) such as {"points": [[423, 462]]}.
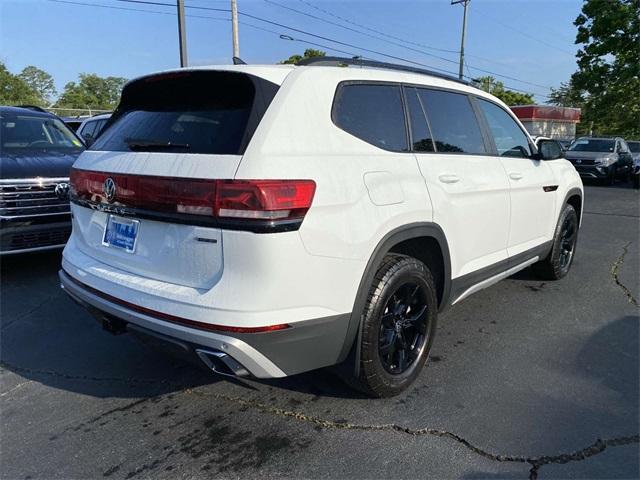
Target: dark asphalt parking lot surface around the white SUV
{"points": [[525, 378]]}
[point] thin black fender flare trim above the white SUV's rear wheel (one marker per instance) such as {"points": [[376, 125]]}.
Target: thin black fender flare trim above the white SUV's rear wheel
{"points": [[398, 235]]}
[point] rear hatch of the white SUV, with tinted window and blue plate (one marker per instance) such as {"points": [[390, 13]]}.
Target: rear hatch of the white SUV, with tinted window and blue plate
{"points": [[144, 194]]}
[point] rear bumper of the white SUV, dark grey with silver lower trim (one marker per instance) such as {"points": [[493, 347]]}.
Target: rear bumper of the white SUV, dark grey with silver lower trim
{"points": [[304, 346]]}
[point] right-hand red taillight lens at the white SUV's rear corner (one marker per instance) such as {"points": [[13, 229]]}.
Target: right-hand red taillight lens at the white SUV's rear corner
{"points": [[264, 199]]}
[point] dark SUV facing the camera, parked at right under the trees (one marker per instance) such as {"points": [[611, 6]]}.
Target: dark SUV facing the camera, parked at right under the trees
{"points": [[601, 158]]}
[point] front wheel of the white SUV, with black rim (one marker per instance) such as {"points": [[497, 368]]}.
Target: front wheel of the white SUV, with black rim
{"points": [[559, 261]]}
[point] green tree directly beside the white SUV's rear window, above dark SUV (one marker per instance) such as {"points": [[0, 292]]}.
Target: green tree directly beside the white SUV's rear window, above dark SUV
{"points": [[92, 91]]}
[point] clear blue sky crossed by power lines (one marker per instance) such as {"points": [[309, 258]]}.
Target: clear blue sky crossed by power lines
{"points": [[530, 41]]}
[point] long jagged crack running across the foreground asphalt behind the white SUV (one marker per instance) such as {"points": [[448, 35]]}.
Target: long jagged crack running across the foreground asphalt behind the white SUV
{"points": [[536, 462]]}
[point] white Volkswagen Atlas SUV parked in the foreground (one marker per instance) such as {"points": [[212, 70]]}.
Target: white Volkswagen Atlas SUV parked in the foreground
{"points": [[278, 219]]}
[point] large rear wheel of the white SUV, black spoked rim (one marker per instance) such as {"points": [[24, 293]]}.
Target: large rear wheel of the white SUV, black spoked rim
{"points": [[399, 323]]}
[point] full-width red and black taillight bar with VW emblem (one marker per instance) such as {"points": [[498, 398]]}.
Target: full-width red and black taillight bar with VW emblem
{"points": [[264, 203]]}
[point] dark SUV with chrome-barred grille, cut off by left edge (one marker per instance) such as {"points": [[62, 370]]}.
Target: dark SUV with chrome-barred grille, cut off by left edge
{"points": [[36, 153]]}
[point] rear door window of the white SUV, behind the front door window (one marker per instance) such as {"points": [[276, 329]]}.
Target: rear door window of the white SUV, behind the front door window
{"points": [[453, 122]]}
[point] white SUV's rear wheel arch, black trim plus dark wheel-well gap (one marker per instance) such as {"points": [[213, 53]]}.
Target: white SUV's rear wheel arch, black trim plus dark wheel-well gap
{"points": [[425, 241]]}
